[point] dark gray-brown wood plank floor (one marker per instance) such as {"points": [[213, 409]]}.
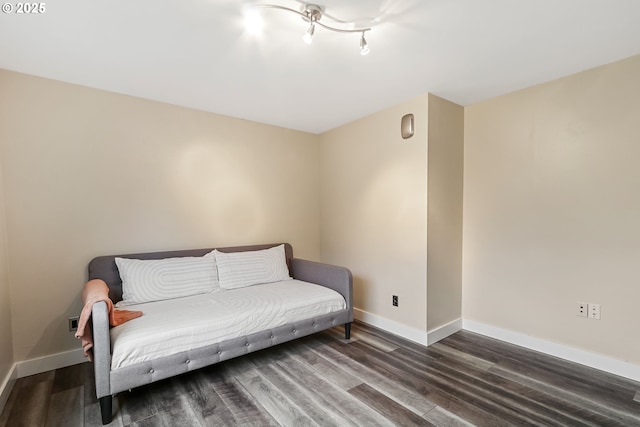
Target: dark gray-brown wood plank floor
{"points": [[374, 379]]}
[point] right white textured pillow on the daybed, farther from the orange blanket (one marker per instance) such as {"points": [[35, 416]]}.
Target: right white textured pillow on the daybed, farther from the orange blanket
{"points": [[239, 269]]}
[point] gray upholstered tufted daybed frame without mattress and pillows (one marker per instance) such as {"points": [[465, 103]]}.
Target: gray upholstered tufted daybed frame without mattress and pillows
{"points": [[111, 380]]}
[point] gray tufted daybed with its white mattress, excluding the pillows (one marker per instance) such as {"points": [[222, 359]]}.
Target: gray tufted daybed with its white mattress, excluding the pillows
{"points": [[149, 361]]}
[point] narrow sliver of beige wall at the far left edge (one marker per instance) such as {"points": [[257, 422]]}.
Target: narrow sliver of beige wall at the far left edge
{"points": [[6, 340]]}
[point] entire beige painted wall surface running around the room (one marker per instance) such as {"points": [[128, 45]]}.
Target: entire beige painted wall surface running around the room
{"points": [[550, 205]]}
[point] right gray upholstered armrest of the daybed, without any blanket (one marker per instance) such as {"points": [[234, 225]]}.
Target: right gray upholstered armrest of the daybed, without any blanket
{"points": [[337, 278]]}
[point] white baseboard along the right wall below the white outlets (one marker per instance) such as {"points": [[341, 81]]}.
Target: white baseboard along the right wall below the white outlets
{"points": [[583, 357]]}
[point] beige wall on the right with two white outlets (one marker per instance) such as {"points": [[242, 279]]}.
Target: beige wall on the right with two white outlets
{"points": [[552, 210]]}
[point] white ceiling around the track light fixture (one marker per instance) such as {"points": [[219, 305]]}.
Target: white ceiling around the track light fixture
{"points": [[196, 53]]}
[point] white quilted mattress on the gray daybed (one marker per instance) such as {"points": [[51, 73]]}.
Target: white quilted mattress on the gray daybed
{"points": [[171, 326]]}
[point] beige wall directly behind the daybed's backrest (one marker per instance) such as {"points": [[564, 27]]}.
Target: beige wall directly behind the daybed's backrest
{"points": [[88, 172]]}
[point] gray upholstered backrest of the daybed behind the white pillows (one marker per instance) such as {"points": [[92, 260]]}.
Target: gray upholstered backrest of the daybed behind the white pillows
{"points": [[105, 268]]}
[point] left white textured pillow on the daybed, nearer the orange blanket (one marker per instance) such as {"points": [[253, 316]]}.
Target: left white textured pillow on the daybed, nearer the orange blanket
{"points": [[160, 279]]}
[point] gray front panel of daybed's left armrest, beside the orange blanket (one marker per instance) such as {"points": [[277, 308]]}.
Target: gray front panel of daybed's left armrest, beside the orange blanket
{"points": [[101, 348]]}
